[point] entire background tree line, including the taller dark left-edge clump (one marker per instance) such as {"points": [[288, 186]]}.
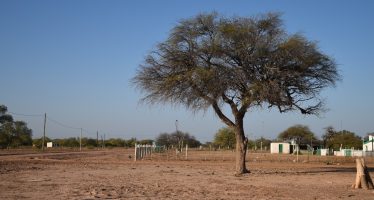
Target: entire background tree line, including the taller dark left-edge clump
{"points": [[15, 134]]}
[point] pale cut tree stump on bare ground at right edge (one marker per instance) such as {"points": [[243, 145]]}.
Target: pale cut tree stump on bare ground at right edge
{"points": [[362, 177]]}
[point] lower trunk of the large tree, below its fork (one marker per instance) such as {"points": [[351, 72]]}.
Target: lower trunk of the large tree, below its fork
{"points": [[241, 150]]}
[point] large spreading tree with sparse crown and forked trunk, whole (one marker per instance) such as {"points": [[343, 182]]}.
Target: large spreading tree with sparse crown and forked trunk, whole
{"points": [[242, 62]]}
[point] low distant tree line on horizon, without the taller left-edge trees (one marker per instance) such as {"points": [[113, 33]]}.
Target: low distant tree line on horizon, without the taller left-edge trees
{"points": [[223, 139]]}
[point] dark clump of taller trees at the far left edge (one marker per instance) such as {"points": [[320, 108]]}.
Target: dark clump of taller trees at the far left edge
{"points": [[13, 133]]}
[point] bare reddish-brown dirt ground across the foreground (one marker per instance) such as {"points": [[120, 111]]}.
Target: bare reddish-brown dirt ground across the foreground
{"points": [[111, 174]]}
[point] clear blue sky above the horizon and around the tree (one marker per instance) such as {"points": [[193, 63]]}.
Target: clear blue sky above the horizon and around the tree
{"points": [[74, 60]]}
